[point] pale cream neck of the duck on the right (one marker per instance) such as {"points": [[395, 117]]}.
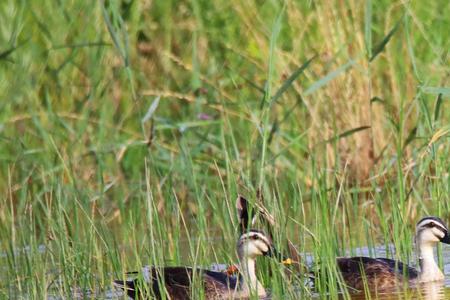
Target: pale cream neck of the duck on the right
{"points": [[429, 270]]}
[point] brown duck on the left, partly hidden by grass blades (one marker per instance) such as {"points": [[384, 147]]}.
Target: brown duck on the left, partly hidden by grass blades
{"points": [[176, 282]]}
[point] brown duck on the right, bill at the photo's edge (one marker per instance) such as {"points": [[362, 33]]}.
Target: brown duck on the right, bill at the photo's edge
{"points": [[383, 273]]}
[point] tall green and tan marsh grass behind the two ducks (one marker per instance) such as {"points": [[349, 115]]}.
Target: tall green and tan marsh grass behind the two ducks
{"points": [[337, 113]]}
